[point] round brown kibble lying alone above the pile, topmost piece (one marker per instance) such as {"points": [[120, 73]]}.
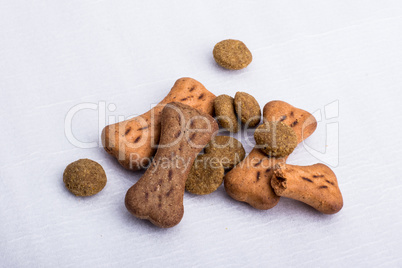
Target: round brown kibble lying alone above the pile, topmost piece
{"points": [[232, 54]]}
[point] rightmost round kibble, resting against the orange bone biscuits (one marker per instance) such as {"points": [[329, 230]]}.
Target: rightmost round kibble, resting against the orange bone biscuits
{"points": [[275, 139]]}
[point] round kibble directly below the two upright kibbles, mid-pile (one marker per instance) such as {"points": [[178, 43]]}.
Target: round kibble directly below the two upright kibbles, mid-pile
{"points": [[226, 150]]}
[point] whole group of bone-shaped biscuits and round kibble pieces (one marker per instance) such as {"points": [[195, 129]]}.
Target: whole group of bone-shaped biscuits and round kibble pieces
{"points": [[176, 142]]}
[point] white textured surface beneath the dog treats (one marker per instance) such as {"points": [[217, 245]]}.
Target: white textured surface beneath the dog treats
{"points": [[57, 54]]}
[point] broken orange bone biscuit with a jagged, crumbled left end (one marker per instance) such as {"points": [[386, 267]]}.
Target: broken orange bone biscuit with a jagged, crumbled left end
{"points": [[314, 185]]}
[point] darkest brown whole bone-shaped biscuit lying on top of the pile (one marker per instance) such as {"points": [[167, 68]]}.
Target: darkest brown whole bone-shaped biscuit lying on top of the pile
{"points": [[158, 195]]}
